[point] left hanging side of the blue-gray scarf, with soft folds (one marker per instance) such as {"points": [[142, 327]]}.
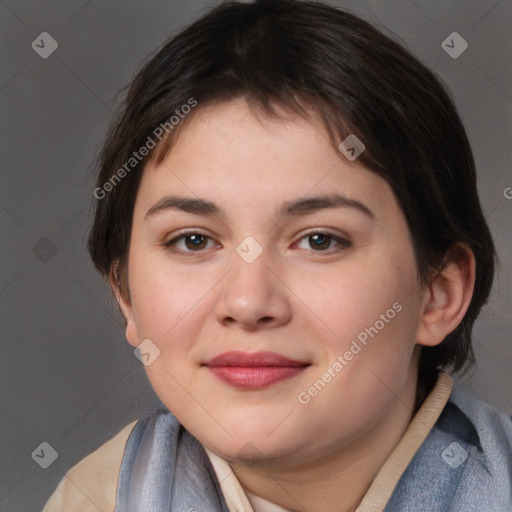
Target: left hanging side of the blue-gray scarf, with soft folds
{"points": [[165, 469]]}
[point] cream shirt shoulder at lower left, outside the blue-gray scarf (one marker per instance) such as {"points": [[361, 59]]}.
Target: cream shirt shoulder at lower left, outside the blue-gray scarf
{"points": [[91, 484]]}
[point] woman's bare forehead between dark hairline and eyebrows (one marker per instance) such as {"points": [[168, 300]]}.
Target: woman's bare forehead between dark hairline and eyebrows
{"points": [[236, 156]]}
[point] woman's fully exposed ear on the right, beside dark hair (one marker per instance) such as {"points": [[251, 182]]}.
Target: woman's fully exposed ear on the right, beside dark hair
{"points": [[447, 297]]}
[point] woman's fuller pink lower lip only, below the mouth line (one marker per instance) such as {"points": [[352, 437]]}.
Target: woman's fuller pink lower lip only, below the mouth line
{"points": [[255, 377]]}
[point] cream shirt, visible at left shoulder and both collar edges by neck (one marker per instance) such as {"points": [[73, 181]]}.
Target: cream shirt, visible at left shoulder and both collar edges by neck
{"points": [[91, 485]]}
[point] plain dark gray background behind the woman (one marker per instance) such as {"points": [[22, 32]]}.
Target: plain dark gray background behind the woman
{"points": [[67, 376]]}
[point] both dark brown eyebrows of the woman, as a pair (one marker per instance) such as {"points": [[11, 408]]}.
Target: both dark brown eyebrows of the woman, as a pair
{"points": [[295, 207]]}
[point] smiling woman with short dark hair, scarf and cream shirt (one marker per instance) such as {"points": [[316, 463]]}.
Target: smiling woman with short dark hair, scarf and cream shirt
{"points": [[287, 214]]}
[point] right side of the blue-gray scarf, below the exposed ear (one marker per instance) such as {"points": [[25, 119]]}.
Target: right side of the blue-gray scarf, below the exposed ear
{"points": [[464, 464]]}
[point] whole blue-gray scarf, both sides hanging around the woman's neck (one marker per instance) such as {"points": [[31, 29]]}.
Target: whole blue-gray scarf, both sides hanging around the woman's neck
{"points": [[464, 465]]}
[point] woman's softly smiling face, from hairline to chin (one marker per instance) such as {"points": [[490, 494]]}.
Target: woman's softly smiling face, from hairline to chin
{"points": [[256, 235]]}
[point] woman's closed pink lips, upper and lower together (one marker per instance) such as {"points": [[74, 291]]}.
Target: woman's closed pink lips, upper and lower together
{"points": [[254, 370]]}
